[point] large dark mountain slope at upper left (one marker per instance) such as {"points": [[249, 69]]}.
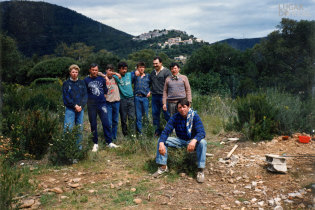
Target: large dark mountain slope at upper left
{"points": [[38, 27]]}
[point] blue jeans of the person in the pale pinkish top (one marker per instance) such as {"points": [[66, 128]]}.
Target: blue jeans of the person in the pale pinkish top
{"points": [[113, 114]]}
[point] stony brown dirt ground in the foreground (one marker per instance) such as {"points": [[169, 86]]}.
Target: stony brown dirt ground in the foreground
{"points": [[243, 182]]}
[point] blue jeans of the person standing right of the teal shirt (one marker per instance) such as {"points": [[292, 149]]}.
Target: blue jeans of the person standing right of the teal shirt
{"points": [[142, 107]]}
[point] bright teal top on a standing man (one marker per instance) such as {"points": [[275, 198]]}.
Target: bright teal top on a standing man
{"points": [[125, 85]]}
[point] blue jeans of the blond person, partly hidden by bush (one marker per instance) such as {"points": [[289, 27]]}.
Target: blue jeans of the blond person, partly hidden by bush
{"points": [[74, 118]]}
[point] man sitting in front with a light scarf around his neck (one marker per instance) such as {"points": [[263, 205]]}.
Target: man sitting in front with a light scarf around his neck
{"points": [[190, 133]]}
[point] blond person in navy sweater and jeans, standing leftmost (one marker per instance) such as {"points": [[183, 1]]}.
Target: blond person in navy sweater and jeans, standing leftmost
{"points": [[74, 97]]}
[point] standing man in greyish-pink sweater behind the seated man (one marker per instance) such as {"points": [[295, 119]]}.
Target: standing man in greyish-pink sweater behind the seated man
{"points": [[176, 87]]}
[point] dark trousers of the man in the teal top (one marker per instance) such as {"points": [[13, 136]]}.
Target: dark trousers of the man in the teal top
{"points": [[127, 112]]}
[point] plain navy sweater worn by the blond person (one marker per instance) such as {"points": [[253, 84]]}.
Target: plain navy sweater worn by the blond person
{"points": [[74, 93]]}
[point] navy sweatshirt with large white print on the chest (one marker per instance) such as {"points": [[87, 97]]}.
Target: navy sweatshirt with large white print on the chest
{"points": [[96, 88]]}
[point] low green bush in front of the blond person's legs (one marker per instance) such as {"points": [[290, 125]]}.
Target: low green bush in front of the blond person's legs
{"points": [[64, 148]]}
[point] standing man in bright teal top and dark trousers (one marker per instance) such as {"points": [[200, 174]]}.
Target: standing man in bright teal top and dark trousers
{"points": [[127, 106]]}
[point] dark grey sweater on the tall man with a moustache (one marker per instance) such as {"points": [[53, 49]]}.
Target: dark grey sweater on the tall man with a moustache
{"points": [[158, 81]]}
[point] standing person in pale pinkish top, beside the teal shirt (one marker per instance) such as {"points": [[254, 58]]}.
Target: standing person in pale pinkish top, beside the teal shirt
{"points": [[112, 99]]}
